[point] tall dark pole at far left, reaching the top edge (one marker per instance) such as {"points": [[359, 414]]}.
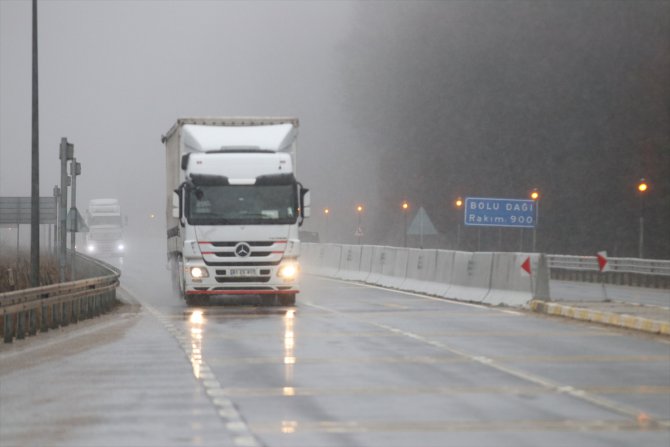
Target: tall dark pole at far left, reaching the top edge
{"points": [[35, 170]]}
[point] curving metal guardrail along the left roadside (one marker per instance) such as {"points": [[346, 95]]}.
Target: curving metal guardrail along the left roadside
{"points": [[39, 309]]}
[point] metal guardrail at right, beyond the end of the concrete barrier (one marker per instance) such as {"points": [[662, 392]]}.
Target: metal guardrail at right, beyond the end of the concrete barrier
{"points": [[623, 271]]}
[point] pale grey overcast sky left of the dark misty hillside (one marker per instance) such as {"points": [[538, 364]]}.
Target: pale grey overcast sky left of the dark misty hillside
{"points": [[115, 75]]}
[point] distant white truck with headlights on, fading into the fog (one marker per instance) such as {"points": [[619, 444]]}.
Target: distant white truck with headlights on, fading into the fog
{"points": [[105, 228]]}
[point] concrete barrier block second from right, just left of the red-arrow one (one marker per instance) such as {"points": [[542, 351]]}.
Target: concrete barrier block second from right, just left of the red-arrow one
{"points": [[471, 276]]}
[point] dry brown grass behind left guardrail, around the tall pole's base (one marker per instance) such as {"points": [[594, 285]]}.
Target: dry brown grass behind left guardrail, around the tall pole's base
{"points": [[21, 269]]}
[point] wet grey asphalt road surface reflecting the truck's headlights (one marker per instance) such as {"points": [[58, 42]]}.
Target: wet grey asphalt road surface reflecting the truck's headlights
{"points": [[349, 365]]}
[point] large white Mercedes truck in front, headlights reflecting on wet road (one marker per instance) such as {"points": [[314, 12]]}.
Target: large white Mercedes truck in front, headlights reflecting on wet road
{"points": [[233, 208]]}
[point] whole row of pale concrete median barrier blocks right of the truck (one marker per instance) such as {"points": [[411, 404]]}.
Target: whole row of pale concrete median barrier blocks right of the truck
{"points": [[481, 277]]}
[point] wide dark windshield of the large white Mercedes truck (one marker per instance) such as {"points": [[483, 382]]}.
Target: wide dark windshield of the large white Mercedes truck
{"points": [[254, 204]]}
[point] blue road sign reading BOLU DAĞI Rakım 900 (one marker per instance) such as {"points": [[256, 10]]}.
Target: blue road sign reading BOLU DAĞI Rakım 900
{"points": [[485, 212]]}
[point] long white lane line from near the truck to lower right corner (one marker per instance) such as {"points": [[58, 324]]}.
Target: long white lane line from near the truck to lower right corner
{"points": [[529, 377]]}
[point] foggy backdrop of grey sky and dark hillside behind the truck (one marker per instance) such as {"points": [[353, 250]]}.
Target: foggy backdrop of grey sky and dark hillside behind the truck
{"points": [[397, 100]]}
